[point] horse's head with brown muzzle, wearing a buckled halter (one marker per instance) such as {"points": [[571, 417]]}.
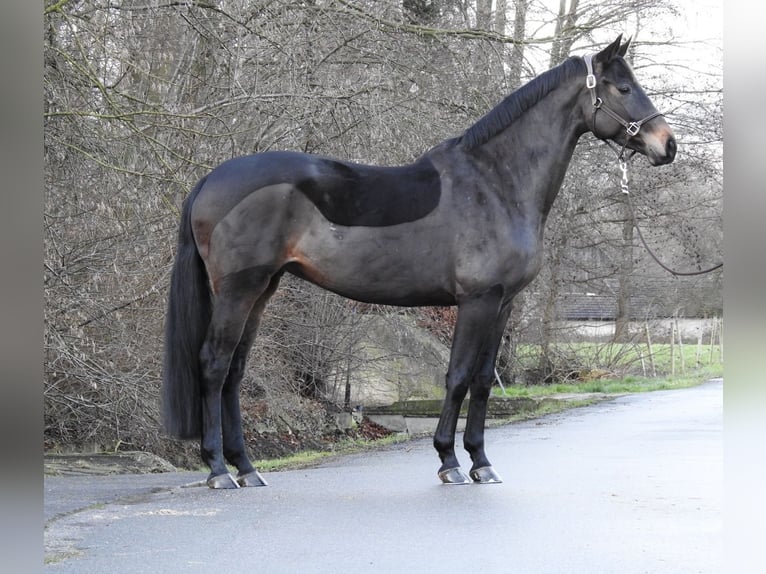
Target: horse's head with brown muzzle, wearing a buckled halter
{"points": [[619, 109]]}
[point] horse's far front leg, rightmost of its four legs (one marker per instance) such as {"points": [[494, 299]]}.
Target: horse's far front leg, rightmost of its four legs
{"points": [[473, 439]]}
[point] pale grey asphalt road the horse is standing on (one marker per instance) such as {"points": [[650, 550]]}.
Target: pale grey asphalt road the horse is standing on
{"points": [[632, 485]]}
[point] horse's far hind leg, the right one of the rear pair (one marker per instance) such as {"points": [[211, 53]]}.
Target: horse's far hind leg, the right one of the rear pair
{"points": [[233, 441]]}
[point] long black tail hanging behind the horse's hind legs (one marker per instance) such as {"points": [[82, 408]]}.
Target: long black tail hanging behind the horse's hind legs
{"points": [[188, 317]]}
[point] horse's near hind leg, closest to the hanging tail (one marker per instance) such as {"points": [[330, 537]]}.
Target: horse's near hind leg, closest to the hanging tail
{"points": [[236, 296]]}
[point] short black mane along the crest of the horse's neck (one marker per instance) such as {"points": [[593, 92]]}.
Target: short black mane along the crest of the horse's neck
{"points": [[518, 102]]}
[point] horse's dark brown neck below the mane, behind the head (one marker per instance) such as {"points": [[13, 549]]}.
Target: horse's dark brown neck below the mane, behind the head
{"points": [[533, 153]]}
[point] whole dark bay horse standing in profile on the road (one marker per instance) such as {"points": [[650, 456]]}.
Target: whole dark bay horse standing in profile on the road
{"points": [[462, 225]]}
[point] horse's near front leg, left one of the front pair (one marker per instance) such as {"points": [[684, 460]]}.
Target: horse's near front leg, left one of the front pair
{"points": [[468, 345]]}
